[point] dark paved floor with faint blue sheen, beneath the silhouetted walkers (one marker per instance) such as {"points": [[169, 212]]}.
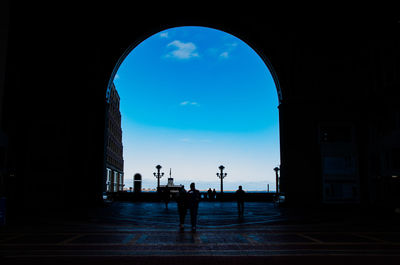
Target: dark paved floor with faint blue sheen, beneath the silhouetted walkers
{"points": [[147, 233]]}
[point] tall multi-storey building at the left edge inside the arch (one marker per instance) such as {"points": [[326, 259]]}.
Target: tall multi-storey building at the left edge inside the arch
{"points": [[114, 149]]}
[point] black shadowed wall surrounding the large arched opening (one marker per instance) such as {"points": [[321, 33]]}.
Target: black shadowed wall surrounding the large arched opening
{"points": [[332, 69]]}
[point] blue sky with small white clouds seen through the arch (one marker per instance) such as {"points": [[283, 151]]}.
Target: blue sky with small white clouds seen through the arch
{"points": [[193, 98]]}
